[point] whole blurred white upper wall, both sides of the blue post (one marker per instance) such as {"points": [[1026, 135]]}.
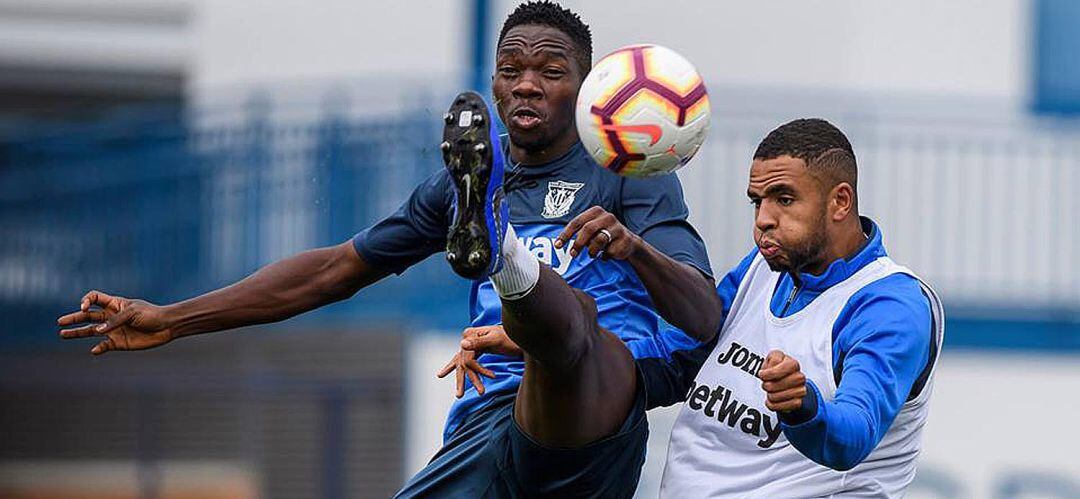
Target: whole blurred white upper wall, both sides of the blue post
{"points": [[923, 47]]}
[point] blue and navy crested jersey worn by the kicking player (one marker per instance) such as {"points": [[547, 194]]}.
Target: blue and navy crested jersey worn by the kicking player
{"points": [[543, 200]]}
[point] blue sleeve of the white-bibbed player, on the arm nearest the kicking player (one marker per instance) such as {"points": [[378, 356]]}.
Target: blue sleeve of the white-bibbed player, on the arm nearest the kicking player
{"points": [[668, 381]]}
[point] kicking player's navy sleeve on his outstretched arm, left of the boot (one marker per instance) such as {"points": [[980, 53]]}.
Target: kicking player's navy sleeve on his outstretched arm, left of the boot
{"points": [[414, 233]]}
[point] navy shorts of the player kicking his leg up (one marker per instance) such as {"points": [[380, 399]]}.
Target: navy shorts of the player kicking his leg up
{"points": [[490, 456]]}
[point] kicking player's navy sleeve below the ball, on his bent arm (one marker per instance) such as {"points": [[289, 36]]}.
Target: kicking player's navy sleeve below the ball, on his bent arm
{"points": [[654, 209]]}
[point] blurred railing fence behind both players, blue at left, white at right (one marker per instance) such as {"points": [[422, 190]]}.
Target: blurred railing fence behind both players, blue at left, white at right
{"points": [[166, 210]]}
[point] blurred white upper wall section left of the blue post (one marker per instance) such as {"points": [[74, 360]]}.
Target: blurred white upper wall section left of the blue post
{"points": [[244, 43]]}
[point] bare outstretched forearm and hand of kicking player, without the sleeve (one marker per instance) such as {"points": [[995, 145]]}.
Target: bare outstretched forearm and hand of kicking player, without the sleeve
{"points": [[275, 293]]}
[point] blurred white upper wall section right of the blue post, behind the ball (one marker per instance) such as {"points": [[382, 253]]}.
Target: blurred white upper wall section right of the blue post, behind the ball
{"points": [[963, 47]]}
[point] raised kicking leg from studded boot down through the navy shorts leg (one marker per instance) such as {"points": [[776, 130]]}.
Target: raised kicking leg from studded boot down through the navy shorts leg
{"points": [[579, 427]]}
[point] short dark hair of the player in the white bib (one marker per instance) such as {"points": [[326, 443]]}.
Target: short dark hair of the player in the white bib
{"points": [[820, 144]]}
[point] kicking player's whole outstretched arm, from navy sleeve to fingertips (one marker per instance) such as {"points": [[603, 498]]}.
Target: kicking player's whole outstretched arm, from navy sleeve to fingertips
{"points": [[278, 291]]}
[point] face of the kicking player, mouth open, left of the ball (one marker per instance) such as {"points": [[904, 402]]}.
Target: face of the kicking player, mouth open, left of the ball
{"points": [[536, 86]]}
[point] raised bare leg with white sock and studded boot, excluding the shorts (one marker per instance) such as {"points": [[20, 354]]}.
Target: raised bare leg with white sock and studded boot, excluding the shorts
{"points": [[579, 382]]}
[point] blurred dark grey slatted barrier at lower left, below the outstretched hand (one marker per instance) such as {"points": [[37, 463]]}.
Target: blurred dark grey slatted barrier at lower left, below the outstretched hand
{"points": [[254, 414]]}
